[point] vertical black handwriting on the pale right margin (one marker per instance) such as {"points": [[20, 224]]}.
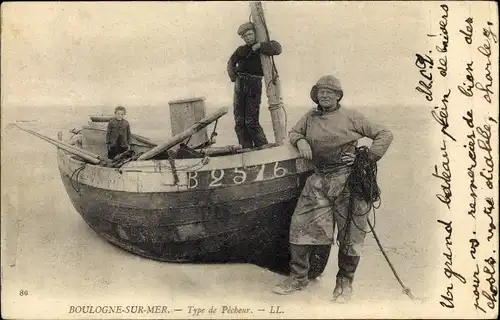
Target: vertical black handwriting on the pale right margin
{"points": [[458, 84]]}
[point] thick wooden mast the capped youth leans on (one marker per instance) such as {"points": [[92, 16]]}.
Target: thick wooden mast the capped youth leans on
{"points": [[273, 86]]}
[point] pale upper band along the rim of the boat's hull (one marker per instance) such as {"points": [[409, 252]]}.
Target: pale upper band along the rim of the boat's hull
{"points": [[151, 176]]}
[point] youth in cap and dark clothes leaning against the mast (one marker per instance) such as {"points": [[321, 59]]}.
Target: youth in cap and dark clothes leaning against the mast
{"points": [[245, 70]]}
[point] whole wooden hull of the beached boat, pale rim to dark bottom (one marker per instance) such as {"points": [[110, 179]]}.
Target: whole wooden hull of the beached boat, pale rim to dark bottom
{"points": [[234, 208]]}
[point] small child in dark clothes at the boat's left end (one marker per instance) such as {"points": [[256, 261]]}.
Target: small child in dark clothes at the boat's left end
{"points": [[118, 136]]}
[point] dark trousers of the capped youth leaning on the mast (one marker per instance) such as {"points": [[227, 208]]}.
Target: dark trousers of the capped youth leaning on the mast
{"points": [[247, 97]]}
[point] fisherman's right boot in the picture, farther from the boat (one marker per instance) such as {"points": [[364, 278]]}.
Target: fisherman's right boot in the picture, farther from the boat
{"points": [[343, 287]]}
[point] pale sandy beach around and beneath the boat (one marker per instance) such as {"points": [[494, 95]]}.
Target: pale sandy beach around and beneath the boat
{"points": [[49, 251]]}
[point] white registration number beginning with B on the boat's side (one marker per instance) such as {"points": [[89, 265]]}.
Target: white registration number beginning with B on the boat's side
{"points": [[235, 176]]}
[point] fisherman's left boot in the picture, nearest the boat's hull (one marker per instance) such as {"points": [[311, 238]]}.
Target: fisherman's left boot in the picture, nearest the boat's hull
{"points": [[299, 268]]}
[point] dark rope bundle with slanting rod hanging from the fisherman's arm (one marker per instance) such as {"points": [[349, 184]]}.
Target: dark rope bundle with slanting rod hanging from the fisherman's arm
{"points": [[362, 185]]}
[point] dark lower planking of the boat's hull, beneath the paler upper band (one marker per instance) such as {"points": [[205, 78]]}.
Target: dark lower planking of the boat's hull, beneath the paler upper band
{"points": [[204, 235]]}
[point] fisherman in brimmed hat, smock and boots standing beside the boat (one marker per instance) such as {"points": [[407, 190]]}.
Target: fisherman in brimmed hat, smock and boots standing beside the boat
{"points": [[328, 136]]}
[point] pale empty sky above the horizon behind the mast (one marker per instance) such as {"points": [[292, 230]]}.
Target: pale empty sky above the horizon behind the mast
{"points": [[151, 53]]}
